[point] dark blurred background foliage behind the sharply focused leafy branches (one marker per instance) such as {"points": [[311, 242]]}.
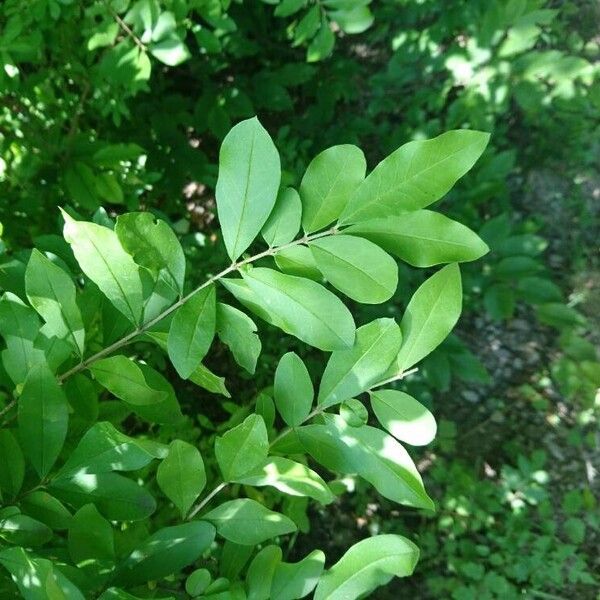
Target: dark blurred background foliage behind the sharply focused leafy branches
{"points": [[109, 106]]}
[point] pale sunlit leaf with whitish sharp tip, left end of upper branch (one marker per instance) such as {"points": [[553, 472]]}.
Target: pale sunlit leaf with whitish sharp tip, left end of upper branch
{"points": [[103, 259]]}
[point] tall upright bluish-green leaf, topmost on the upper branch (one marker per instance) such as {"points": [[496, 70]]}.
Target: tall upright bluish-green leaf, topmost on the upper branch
{"points": [[249, 177]]}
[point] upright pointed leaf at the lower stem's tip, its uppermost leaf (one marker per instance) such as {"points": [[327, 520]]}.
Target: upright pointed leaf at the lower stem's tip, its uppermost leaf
{"points": [[430, 316]]}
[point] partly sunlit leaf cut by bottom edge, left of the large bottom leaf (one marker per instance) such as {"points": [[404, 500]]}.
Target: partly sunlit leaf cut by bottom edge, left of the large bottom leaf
{"points": [[297, 580]]}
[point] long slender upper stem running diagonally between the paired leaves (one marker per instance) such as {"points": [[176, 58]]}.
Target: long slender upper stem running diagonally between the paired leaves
{"points": [[148, 325]]}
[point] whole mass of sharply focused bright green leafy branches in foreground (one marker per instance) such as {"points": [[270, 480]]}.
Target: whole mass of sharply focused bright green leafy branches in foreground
{"points": [[100, 496]]}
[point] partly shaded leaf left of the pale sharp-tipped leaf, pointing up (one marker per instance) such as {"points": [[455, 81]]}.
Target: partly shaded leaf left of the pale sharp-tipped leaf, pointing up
{"points": [[52, 293]]}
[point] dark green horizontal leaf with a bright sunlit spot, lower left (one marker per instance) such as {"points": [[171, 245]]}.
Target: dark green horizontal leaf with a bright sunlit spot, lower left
{"points": [[116, 497]]}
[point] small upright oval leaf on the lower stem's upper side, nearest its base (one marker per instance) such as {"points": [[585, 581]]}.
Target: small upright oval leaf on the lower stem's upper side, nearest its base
{"points": [[294, 392]]}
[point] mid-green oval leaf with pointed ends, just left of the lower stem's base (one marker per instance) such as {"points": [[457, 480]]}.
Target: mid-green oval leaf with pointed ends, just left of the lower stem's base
{"points": [[181, 475]]}
